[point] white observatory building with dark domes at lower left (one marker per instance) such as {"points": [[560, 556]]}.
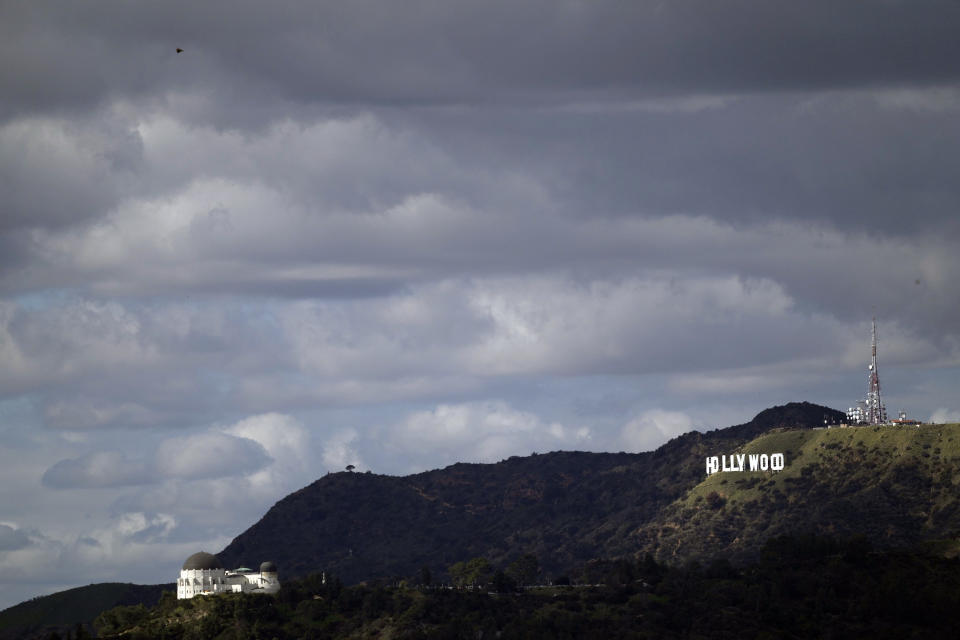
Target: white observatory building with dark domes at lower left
{"points": [[204, 574]]}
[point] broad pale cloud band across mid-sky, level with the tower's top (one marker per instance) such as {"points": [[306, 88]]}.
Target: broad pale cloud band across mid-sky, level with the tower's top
{"points": [[122, 365]]}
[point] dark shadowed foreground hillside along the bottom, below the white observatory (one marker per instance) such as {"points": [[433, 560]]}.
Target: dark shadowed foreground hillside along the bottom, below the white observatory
{"points": [[805, 587]]}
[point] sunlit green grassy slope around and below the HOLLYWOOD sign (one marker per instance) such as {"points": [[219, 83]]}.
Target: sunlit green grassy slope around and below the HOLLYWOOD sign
{"points": [[897, 486]]}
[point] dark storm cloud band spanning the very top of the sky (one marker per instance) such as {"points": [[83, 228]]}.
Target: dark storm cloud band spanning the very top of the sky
{"points": [[426, 52]]}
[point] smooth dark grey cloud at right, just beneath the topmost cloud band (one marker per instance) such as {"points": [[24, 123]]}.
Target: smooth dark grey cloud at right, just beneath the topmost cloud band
{"points": [[850, 160]]}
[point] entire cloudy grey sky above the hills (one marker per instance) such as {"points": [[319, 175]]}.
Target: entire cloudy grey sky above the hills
{"points": [[402, 235]]}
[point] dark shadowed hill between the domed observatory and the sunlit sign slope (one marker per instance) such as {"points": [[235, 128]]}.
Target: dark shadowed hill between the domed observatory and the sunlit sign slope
{"points": [[564, 507]]}
